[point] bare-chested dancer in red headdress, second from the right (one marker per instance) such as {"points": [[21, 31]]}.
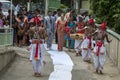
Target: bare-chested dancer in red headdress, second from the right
{"points": [[88, 43]]}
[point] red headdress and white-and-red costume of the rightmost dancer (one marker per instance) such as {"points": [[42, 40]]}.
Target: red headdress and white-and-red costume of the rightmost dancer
{"points": [[99, 49]]}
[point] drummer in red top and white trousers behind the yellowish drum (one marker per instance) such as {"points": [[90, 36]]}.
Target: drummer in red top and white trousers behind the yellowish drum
{"points": [[80, 25]]}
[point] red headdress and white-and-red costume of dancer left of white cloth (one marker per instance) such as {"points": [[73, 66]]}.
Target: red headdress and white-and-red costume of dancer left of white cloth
{"points": [[37, 50]]}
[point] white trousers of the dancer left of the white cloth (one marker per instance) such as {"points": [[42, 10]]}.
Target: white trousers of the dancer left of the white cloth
{"points": [[37, 64]]}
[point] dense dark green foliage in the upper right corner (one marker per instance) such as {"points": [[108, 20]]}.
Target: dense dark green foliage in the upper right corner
{"points": [[108, 10]]}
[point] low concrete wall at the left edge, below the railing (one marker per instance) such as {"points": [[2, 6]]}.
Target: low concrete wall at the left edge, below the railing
{"points": [[6, 56]]}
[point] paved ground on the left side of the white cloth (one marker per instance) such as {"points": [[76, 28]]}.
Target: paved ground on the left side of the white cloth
{"points": [[21, 69]]}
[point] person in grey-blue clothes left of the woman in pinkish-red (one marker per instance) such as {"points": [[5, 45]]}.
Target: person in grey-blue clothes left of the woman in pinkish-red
{"points": [[49, 23]]}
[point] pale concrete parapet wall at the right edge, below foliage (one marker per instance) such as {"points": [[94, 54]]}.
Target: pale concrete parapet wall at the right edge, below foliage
{"points": [[113, 48]]}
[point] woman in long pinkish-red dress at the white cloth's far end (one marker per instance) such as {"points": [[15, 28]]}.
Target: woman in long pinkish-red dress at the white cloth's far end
{"points": [[60, 24]]}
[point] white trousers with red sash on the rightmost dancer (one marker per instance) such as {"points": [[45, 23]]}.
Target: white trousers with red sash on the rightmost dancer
{"points": [[99, 55]]}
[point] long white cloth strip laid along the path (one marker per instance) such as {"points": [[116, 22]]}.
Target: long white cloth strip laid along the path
{"points": [[62, 64]]}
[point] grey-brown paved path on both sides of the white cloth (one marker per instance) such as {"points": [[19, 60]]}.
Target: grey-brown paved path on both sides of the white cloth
{"points": [[21, 68]]}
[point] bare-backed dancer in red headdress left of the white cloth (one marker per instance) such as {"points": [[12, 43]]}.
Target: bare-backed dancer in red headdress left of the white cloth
{"points": [[37, 50]]}
